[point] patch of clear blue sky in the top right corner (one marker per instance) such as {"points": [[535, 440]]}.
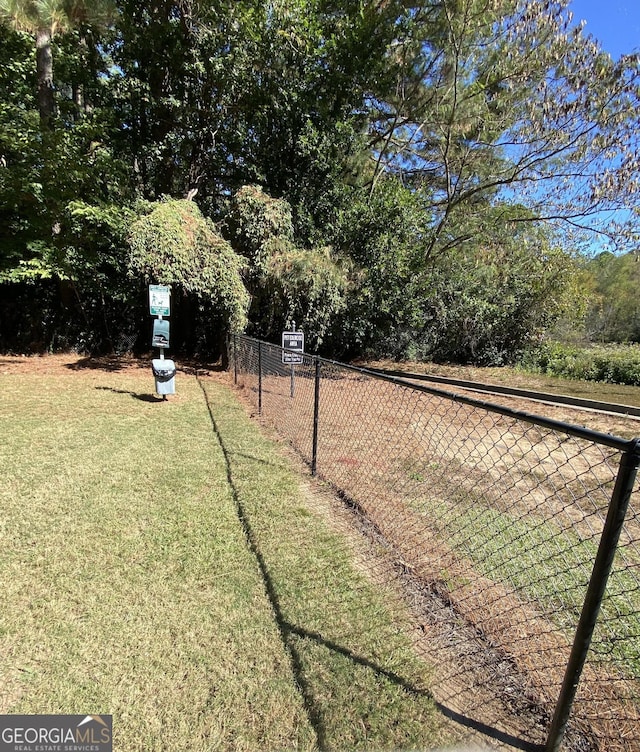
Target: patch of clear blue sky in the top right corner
{"points": [[615, 23]]}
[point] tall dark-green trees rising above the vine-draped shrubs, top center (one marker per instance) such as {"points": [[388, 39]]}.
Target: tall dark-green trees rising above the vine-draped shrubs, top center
{"points": [[219, 95]]}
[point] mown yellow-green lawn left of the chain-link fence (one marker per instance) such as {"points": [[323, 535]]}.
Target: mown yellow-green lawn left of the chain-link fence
{"points": [[160, 563]]}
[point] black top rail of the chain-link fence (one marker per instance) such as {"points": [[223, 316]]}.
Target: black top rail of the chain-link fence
{"points": [[630, 446]]}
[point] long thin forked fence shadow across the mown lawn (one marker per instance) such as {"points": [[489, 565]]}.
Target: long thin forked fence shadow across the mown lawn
{"points": [[288, 631]]}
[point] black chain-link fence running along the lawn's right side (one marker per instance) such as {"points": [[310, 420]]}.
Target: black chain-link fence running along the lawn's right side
{"points": [[524, 528]]}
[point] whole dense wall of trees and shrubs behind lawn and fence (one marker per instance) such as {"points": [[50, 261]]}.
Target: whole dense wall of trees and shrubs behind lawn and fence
{"points": [[401, 178]]}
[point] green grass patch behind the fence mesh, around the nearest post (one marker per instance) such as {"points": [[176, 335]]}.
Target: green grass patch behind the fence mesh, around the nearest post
{"points": [[552, 567]]}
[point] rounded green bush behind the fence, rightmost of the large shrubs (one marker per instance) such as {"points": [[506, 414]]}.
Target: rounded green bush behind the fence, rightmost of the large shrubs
{"points": [[495, 295]]}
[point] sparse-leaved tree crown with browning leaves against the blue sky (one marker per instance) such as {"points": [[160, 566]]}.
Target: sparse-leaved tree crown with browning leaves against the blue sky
{"points": [[505, 100]]}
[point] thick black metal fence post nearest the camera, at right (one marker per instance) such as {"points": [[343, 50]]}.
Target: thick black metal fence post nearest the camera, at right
{"points": [[595, 592]]}
